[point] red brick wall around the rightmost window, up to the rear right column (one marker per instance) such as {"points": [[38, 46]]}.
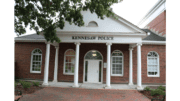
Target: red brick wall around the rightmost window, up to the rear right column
{"points": [[145, 49]]}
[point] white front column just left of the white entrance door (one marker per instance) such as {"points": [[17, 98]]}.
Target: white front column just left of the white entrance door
{"points": [[76, 65]]}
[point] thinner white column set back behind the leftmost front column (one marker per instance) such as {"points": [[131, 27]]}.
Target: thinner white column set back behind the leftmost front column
{"points": [[56, 64]]}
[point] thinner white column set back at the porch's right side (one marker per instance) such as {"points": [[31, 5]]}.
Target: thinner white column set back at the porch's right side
{"points": [[130, 66]]}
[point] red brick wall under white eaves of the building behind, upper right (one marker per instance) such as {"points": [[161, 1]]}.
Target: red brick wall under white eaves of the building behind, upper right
{"points": [[159, 23]]}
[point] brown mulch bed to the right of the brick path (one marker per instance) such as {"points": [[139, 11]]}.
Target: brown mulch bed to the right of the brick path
{"points": [[148, 94]]}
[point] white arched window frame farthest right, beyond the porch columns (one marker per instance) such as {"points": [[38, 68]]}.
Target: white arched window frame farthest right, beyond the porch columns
{"points": [[158, 67]]}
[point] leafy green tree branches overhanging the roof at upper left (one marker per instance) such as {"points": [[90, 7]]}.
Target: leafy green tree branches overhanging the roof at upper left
{"points": [[48, 15]]}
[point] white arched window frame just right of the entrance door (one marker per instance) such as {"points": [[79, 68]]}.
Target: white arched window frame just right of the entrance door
{"points": [[122, 64]]}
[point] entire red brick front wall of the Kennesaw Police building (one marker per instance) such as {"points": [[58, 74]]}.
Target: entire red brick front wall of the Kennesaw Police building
{"points": [[23, 59]]}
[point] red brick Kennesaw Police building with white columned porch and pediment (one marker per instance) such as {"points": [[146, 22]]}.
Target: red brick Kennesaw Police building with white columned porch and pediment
{"points": [[103, 51]]}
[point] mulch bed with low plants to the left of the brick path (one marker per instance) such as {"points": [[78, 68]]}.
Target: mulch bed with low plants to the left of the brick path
{"points": [[30, 90]]}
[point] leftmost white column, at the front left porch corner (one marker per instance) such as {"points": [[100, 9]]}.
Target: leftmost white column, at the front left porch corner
{"points": [[46, 69]]}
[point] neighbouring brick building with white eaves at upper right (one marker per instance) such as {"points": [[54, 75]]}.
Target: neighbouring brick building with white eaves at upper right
{"points": [[155, 19]]}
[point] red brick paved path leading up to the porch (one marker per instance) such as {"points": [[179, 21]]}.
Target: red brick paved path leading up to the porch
{"points": [[80, 94]]}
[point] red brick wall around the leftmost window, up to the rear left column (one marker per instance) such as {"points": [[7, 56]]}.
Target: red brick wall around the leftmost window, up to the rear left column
{"points": [[23, 60]]}
